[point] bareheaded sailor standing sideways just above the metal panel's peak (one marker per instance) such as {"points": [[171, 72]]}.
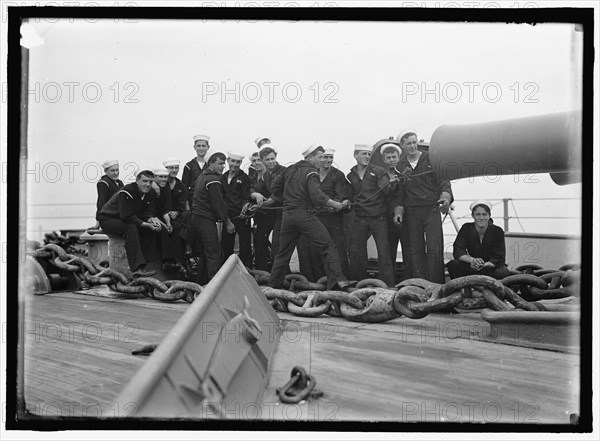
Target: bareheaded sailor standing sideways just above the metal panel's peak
{"points": [[208, 207]]}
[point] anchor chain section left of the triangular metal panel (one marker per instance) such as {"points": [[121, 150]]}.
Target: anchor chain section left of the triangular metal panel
{"points": [[89, 273]]}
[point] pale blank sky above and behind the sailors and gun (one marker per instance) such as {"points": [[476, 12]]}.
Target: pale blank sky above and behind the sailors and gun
{"points": [[359, 82]]}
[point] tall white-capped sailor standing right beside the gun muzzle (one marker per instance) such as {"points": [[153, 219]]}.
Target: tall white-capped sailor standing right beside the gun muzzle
{"points": [[426, 194]]}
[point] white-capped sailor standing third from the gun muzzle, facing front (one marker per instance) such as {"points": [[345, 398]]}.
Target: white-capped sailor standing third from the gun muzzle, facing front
{"points": [[370, 187]]}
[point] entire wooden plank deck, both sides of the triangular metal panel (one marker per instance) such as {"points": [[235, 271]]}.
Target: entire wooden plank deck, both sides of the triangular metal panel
{"points": [[441, 368]]}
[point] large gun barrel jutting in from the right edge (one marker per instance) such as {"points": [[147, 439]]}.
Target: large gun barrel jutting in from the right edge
{"points": [[548, 143]]}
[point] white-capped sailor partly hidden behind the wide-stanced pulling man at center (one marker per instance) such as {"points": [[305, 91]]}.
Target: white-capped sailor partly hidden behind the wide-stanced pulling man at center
{"points": [[335, 185]]}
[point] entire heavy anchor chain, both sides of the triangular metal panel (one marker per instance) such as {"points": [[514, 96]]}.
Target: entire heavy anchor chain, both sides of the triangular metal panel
{"points": [[370, 301]]}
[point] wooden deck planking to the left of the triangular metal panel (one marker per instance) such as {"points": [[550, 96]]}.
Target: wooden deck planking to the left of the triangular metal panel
{"points": [[78, 350]]}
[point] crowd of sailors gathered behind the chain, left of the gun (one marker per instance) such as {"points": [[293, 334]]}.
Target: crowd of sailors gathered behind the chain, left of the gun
{"points": [[310, 206]]}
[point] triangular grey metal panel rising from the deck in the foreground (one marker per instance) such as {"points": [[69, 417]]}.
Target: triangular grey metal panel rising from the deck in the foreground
{"points": [[211, 358]]}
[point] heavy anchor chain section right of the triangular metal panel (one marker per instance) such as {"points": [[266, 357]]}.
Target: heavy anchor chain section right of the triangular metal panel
{"points": [[373, 302]]}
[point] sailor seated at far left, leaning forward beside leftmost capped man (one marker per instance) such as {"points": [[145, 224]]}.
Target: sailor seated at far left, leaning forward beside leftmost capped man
{"points": [[130, 214]]}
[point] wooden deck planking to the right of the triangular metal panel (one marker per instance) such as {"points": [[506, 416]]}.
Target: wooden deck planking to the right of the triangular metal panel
{"points": [[369, 375]]}
